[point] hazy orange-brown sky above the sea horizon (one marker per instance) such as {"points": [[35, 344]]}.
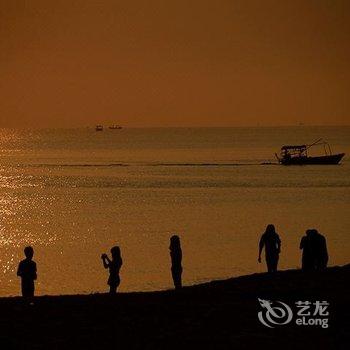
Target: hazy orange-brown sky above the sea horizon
{"points": [[174, 63]]}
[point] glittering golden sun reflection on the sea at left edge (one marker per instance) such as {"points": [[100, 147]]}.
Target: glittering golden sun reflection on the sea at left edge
{"points": [[25, 213]]}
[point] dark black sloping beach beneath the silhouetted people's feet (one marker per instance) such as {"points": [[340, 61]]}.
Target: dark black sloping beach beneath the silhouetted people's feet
{"points": [[220, 314]]}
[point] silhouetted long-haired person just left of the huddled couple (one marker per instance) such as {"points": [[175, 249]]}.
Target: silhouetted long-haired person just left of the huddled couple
{"points": [[272, 243]]}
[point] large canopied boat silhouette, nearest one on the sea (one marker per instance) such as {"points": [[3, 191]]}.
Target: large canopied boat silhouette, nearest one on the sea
{"points": [[298, 155]]}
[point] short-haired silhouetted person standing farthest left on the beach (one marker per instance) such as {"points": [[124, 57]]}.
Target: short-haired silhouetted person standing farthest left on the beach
{"points": [[27, 271]]}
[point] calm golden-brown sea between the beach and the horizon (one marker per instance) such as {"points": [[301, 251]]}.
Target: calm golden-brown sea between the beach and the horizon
{"points": [[72, 194]]}
